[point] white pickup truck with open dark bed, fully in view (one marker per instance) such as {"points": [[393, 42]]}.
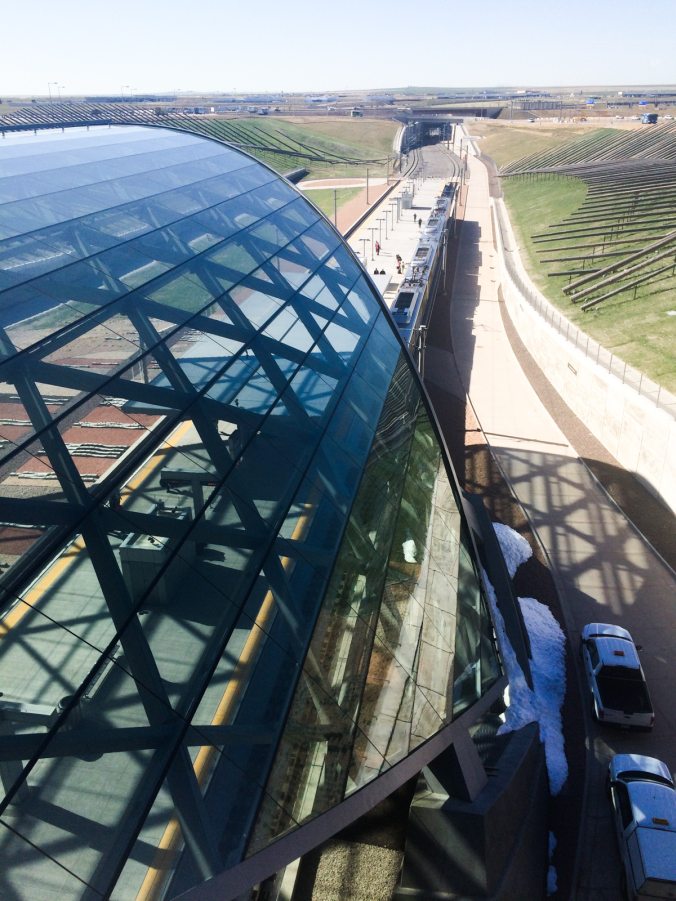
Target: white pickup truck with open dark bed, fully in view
{"points": [[615, 676]]}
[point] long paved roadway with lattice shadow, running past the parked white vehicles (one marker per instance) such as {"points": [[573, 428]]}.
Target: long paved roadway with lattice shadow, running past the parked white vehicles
{"points": [[603, 568]]}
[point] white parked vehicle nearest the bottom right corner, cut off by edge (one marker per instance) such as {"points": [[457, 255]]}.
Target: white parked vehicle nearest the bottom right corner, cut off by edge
{"points": [[644, 813]]}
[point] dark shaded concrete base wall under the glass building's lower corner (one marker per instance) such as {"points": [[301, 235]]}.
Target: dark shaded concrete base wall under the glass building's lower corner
{"points": [[494, 847]]}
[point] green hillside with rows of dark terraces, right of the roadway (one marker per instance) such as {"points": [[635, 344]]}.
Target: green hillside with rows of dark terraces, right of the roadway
{"points": [[597, 220]]}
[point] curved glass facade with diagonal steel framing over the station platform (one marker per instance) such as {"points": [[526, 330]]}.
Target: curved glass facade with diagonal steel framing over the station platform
{"points": [[237, 583]]}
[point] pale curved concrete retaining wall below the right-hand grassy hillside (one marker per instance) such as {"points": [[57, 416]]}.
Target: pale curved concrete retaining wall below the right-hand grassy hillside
{"points": [[640, 435]]}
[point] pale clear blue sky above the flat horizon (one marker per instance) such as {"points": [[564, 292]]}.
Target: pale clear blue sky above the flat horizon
{"points": [[146, 46]]}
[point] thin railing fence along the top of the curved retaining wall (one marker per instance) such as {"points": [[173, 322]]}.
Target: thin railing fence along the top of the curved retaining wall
{"points": [[604, 358]]}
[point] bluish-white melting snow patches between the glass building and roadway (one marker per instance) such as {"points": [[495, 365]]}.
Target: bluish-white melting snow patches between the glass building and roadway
{"points": [[543, 703]]}
